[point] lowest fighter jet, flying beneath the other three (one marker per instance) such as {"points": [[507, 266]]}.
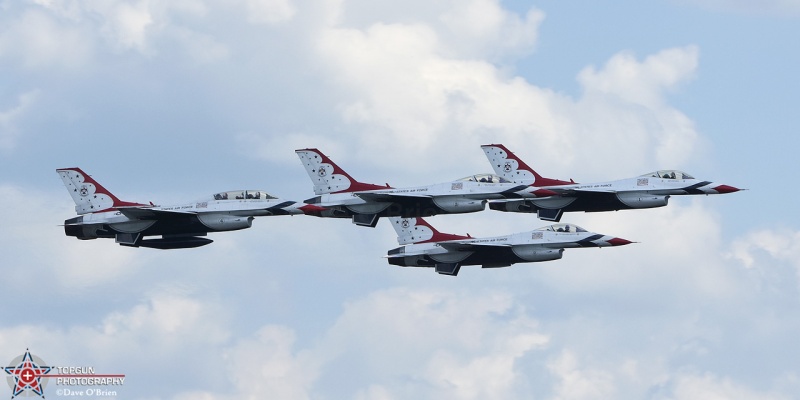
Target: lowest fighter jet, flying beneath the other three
{"points": [[424, 246]]}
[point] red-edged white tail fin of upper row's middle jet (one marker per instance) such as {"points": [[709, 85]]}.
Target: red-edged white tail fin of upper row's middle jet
{"points": [[329, 177]]}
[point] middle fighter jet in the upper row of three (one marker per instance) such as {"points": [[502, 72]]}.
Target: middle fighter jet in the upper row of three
{"points": [[344, 197]]}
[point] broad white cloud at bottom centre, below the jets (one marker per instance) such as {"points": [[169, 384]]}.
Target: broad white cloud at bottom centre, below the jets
{"points": [[476, 358]]}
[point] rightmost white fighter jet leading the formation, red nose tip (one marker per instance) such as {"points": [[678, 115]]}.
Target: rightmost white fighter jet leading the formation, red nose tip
{"points": [[645, 191]]}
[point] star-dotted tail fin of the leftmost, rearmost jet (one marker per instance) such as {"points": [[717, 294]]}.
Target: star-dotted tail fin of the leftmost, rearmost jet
{"points": [[89, 196]]}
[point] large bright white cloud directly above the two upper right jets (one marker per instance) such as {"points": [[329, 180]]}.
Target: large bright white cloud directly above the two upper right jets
{"points": [[401, 85]]}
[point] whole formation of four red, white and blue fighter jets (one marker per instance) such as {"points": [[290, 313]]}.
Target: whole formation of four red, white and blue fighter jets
{"points": [[514, 187]]}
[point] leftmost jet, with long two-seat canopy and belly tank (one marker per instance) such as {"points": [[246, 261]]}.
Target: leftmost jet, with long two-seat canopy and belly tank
{"points": [[103, 215]]}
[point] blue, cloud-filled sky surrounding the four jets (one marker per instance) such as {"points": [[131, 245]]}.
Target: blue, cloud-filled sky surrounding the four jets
{"points": [[172, 101]]}
